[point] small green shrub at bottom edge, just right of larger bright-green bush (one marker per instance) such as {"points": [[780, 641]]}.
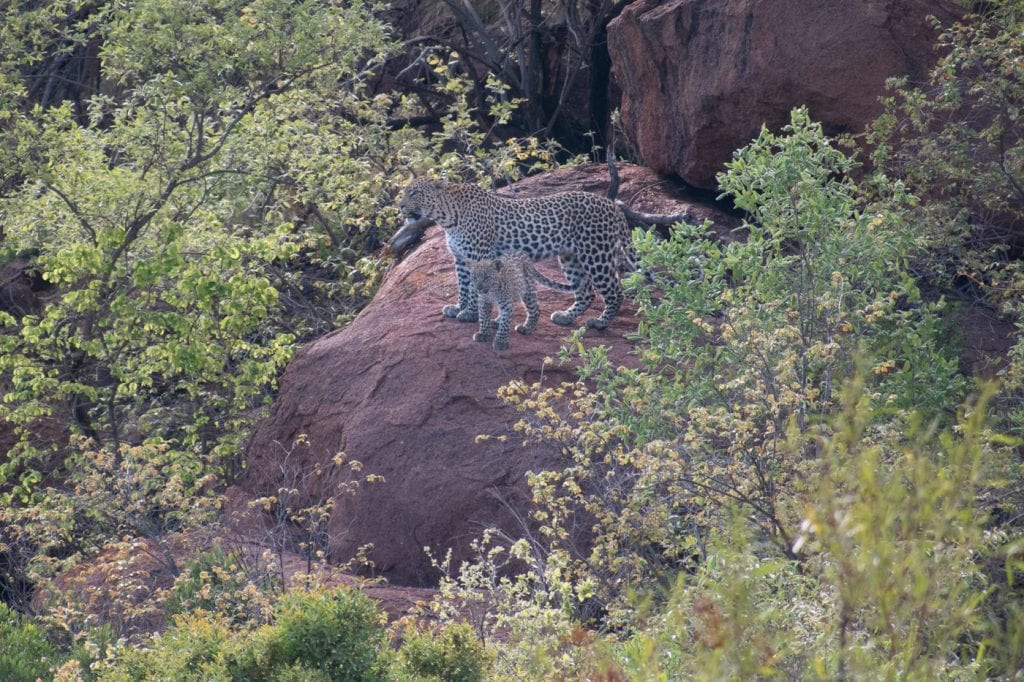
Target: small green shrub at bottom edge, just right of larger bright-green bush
{"points": [[452, 655]]}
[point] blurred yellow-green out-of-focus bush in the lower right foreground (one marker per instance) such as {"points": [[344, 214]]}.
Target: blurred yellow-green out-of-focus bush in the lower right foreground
{"points": [[899, 531]]}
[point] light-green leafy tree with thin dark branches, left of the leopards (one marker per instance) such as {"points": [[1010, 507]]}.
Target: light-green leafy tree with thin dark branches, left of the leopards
{"points": [[164, 327]]}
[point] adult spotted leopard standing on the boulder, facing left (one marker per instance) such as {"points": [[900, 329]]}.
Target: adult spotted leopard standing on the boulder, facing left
{"points": [[587, 233]]}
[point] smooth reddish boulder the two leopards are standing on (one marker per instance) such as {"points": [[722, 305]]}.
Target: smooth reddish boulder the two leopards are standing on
{"points": [[407, 393]]}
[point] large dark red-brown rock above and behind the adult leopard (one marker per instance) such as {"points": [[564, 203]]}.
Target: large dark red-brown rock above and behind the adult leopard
{"points": [[700, 78]]}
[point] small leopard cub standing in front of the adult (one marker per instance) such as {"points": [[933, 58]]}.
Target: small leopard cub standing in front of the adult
{"points": [[505, 282]]}
